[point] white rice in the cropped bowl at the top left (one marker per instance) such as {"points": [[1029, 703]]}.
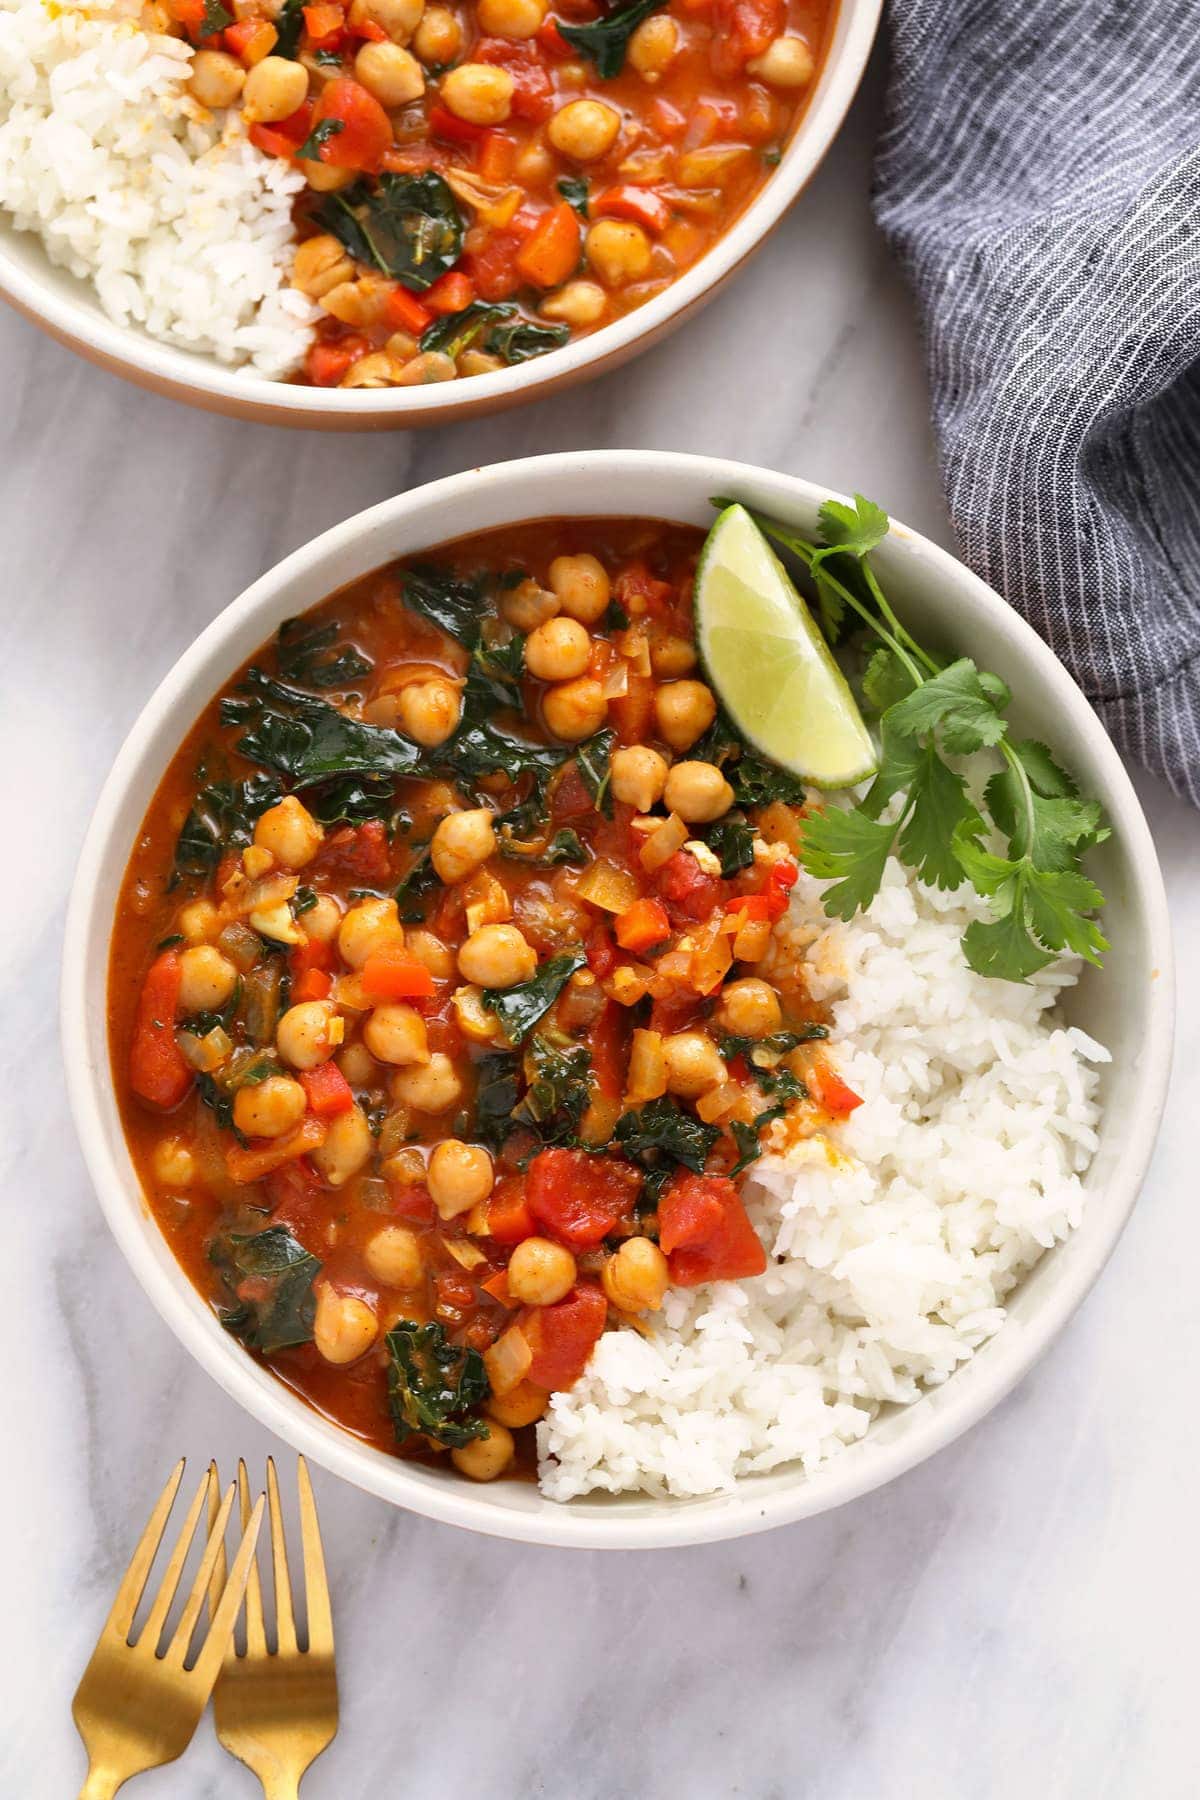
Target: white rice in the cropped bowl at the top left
{"points": [[175, 219]]}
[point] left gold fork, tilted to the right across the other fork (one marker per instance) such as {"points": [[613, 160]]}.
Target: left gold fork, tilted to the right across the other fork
{"points": [[134, 1707]]}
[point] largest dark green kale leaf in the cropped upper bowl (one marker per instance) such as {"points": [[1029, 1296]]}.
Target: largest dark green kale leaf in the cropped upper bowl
{"points": [[407, 226]]}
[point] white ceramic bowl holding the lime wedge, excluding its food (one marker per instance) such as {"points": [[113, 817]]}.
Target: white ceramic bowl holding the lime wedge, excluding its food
{"points": [[1131, 1007]]}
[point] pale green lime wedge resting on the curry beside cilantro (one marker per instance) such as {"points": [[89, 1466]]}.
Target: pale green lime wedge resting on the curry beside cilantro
{"points": [[771, 665]]}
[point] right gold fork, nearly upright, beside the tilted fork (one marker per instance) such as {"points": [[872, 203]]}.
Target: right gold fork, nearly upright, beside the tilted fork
{"points": [[276, 1711]]}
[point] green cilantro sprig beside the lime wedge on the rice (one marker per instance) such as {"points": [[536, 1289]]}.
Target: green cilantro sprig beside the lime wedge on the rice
{"points": [[918, 805]]}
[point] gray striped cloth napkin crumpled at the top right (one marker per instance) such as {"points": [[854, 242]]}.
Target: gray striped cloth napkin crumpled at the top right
{"points": [[1039, 179]]}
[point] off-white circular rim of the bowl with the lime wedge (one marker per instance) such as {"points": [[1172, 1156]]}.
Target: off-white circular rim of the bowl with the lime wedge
{"points": [[674, 1524]]}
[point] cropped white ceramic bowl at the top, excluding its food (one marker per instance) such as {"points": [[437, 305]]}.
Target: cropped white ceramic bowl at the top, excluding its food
{"points": [[69, 310]]}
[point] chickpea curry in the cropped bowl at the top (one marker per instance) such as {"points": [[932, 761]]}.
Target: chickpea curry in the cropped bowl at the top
{"points": [[494, 179]]}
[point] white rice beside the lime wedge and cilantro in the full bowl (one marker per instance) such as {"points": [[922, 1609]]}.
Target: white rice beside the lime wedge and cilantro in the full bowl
{"points": [[895, 1237]]}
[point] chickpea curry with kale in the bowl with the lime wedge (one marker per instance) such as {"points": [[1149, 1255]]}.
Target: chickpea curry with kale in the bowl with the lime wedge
{"points": [[447, 994]]}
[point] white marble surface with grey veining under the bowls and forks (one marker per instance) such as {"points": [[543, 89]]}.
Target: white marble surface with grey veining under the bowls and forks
{"points": [[1016, 1619]]}
